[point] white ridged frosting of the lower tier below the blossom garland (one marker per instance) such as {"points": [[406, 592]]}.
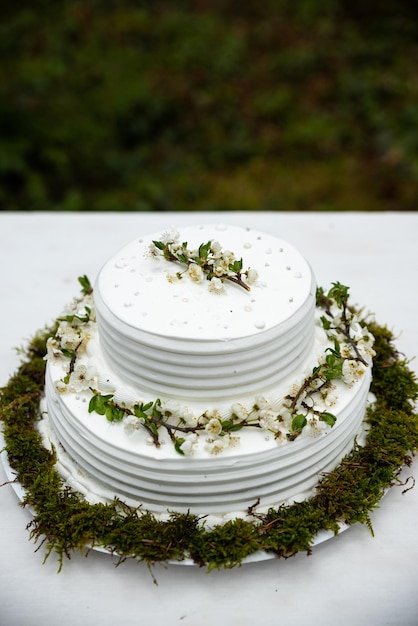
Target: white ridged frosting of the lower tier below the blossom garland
{"points": [[110, 462]]}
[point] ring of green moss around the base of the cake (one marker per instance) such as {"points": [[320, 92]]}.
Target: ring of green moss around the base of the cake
{"points": [[65, 522]]}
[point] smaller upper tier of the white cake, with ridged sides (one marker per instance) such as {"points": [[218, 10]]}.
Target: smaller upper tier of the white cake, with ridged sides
{"points": [[176, 338]]}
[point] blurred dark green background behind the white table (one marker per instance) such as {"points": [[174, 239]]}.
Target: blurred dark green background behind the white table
{"points": [[209, 105]]}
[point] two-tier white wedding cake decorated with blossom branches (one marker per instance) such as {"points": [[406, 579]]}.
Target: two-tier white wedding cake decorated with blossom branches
{"points": [[204, 373]]}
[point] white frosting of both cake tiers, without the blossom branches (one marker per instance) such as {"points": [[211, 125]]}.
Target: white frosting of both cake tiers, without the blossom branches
{"points": [[180, 341]]}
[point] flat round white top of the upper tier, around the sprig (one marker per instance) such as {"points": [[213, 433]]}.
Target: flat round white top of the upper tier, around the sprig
{"points": [[148, 292]]}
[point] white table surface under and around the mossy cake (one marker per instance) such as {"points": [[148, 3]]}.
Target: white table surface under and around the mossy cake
{"points": [[354, 579]]}
